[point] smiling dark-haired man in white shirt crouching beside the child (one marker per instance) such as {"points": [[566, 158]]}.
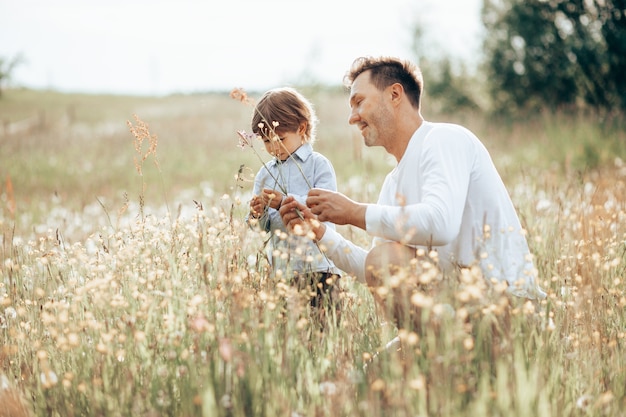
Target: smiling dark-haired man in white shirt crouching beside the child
{"points": [[444, 195]]}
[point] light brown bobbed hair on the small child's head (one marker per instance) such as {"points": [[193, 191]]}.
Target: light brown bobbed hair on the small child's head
{"points": [[287, 107]]}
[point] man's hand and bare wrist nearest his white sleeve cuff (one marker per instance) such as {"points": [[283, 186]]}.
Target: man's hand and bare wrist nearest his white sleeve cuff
{"points": [[334, 207]]}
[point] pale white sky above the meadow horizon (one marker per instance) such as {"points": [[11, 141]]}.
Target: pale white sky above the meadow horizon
{"points": [[160, 46]]}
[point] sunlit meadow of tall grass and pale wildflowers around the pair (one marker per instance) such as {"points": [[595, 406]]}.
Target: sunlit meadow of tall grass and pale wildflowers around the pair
{"points": [[130, 284]]}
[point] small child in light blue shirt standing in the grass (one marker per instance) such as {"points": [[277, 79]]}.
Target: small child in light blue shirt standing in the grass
{"points": [[286, 122]]}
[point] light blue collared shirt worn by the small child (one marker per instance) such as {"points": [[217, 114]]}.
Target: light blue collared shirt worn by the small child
{"points": [[305, 169]]}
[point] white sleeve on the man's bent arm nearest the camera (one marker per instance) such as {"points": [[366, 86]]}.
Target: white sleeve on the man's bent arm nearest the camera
{"points": [[444, 167]]}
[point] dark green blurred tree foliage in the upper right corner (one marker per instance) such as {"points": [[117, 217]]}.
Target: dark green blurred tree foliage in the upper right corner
{"points": [[556, 53]]}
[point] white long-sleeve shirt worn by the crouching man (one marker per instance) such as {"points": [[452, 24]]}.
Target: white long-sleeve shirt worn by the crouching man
{"points": [[445, 194]]}
